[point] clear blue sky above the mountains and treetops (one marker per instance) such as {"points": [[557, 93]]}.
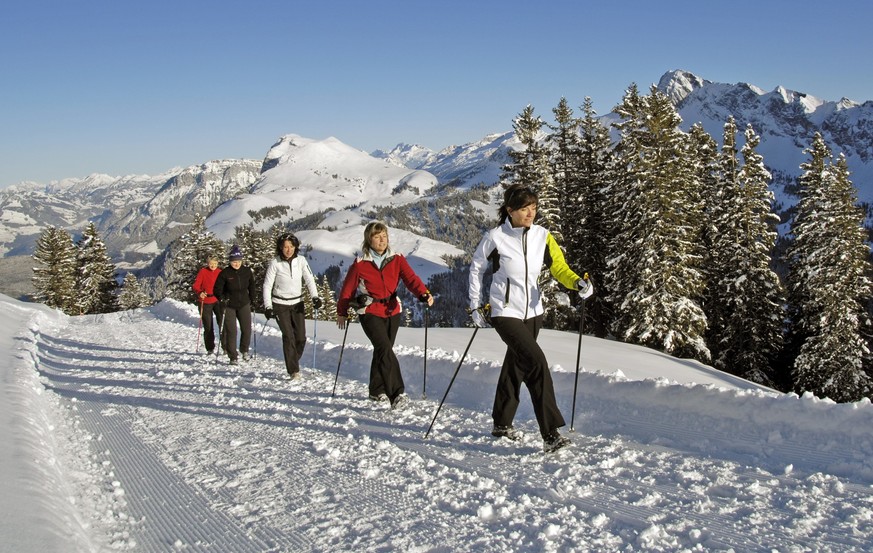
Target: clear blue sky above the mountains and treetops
{"points": [[123, 87]]}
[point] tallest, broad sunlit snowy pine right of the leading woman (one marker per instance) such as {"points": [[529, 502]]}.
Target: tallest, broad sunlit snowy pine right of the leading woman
{"points": [[655, 273]]}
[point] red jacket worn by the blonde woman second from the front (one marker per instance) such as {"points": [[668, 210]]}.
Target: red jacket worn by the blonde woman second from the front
{"points": [[364, 277]]}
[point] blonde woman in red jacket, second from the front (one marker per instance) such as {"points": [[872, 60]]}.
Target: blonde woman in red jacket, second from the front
{"points": [[372, 283]]}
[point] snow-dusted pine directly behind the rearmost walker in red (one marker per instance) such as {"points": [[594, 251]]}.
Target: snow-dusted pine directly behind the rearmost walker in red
{"points": [[187, 254]]}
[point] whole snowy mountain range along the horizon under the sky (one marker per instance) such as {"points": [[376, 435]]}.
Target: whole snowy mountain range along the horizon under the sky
{"points": [[139, 215]]}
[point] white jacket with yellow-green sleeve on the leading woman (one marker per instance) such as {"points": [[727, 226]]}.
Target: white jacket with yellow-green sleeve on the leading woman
{"points": [[517, 255]]}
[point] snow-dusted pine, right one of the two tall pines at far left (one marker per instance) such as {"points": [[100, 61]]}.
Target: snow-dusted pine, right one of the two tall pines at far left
{"points": [[96, 282]]}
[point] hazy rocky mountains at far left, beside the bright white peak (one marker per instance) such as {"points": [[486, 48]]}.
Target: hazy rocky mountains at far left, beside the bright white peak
{"points": [[137, 215]]}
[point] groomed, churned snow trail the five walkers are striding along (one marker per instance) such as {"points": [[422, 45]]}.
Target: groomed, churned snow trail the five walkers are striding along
{"points": [[199, 455]]}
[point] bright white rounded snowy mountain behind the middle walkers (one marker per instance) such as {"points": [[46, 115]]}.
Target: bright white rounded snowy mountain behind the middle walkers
{"points": [[340, 185]]}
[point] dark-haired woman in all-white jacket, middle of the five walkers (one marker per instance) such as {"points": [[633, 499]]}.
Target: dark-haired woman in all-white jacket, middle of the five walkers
{"points": [[283, 298]]}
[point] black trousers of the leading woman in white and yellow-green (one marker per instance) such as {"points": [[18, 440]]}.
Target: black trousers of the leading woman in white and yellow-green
{"points": [[524, 362]]}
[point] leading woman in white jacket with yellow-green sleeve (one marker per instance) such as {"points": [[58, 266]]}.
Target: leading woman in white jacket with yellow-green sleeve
{"points": [[517, 250]]}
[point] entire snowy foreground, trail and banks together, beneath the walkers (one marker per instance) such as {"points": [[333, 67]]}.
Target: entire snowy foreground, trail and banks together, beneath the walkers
{"points": [[119, 436]]}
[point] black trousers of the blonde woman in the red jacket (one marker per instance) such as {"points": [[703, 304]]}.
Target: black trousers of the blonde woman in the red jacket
{"points": [[385, 377]]}
